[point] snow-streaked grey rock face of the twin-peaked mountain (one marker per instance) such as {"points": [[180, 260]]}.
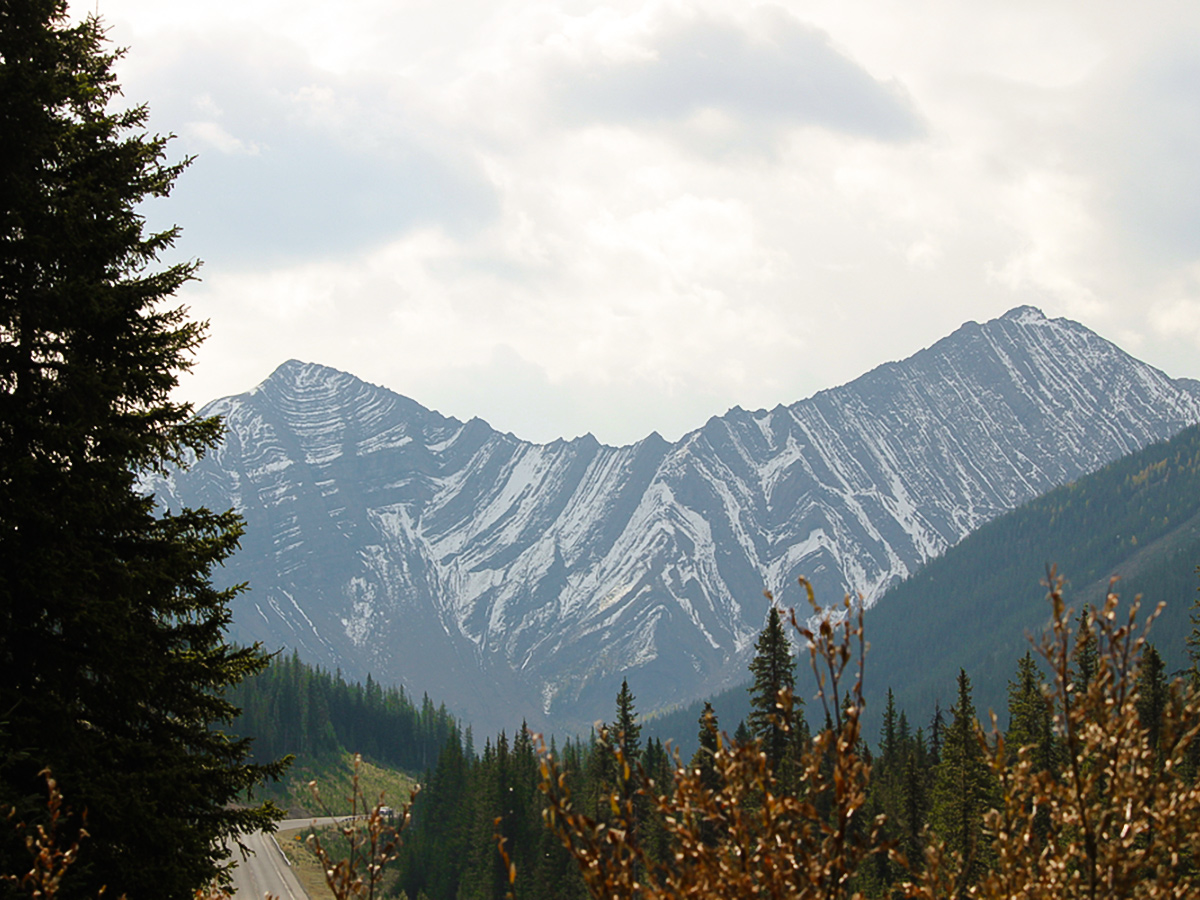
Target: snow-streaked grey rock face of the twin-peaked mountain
{"points": [[520, 580]]}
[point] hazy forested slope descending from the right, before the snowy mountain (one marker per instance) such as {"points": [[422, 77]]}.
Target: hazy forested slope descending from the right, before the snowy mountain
{"points": [[974, 608]]}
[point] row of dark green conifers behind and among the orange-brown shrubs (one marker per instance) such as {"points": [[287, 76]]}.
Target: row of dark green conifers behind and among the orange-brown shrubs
{"points": [[934, 785]]}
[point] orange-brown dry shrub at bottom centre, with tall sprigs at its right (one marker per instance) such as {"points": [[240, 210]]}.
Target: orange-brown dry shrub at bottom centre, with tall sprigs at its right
{"points": [[751, 836]]}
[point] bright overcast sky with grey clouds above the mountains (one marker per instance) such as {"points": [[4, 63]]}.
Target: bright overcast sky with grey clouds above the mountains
{"points": [[625, 218]]}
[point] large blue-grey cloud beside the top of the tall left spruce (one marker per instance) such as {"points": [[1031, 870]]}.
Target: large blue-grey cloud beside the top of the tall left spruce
{"points": [[302, 185]]}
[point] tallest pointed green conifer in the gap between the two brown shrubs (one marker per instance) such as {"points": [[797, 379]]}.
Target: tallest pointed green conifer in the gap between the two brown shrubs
{"points": [[965, 788]]}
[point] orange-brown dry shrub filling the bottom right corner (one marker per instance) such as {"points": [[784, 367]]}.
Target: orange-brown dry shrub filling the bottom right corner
{"points": [[1123, 817]]}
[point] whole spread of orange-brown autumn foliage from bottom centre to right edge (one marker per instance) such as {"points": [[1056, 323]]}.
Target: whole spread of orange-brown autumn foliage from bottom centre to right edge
{"points": [[1120, 820]]}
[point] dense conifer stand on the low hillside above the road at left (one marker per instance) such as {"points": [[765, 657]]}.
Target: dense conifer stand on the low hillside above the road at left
{"points": [[296, 709]]}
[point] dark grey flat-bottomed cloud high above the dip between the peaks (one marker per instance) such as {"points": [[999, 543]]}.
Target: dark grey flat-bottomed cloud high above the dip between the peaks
{"points": [[797, 77]]}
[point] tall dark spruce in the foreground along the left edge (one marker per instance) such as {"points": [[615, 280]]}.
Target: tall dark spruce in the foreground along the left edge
{"points": [[113, 657]]}
